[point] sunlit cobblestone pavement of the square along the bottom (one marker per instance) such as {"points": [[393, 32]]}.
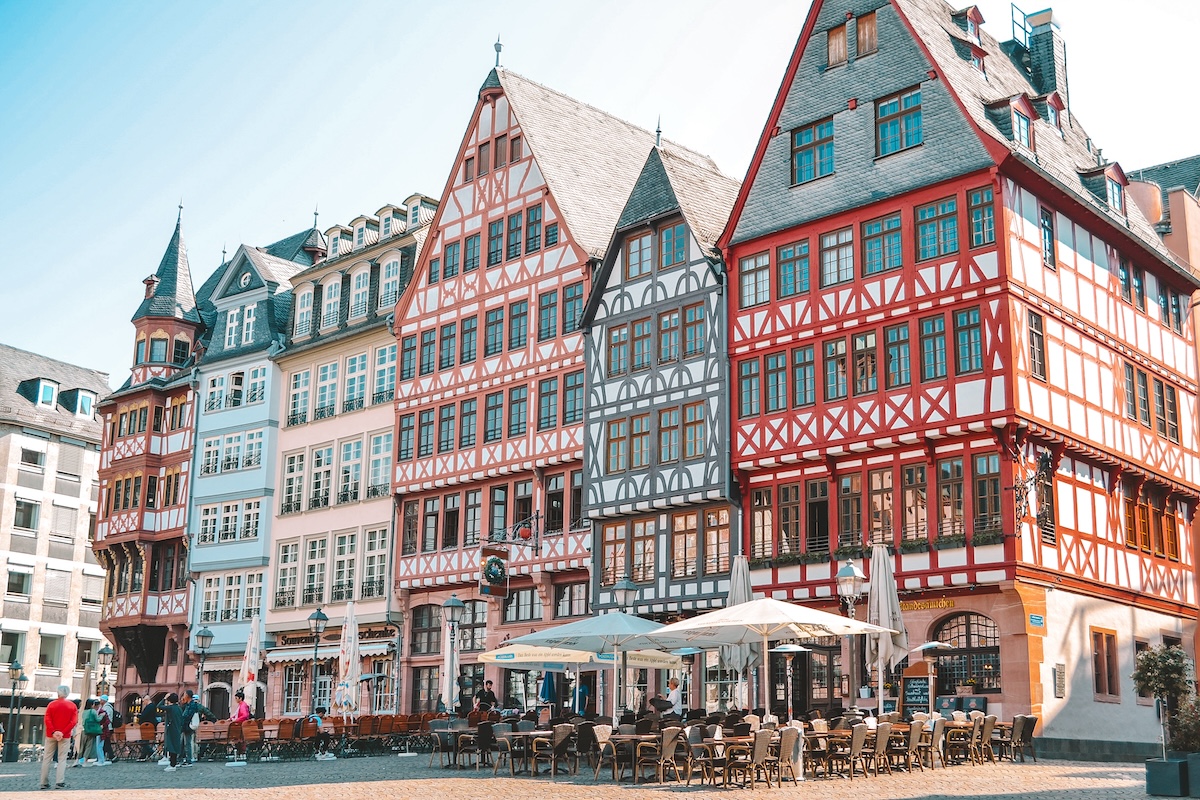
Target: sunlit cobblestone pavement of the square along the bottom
{"points": [[388, 777]]}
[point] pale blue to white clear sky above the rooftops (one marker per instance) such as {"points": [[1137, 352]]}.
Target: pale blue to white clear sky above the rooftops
{"points": [[255, 113]]}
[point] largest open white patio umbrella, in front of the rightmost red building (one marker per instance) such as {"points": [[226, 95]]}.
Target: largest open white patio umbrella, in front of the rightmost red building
{"points": [[758, 621]]}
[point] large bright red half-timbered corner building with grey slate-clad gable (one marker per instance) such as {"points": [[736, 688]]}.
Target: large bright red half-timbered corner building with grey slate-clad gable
{"points": [[951, 334]]}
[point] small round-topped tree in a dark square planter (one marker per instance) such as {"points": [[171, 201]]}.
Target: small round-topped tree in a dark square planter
{"points": [[1162, 672]]}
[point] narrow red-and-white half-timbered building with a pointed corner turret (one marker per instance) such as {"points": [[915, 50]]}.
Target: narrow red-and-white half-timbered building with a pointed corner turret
{"points": [[145, 482]]}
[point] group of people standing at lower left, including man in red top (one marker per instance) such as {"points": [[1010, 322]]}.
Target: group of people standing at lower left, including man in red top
{"points": [[97, 724]]}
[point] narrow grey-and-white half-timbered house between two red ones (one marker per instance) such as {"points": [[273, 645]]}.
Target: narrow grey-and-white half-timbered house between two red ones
{"points": [[656, 450]]}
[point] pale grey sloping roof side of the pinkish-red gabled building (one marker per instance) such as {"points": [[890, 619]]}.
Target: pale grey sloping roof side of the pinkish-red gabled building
{"points": [[590, 159]]}
